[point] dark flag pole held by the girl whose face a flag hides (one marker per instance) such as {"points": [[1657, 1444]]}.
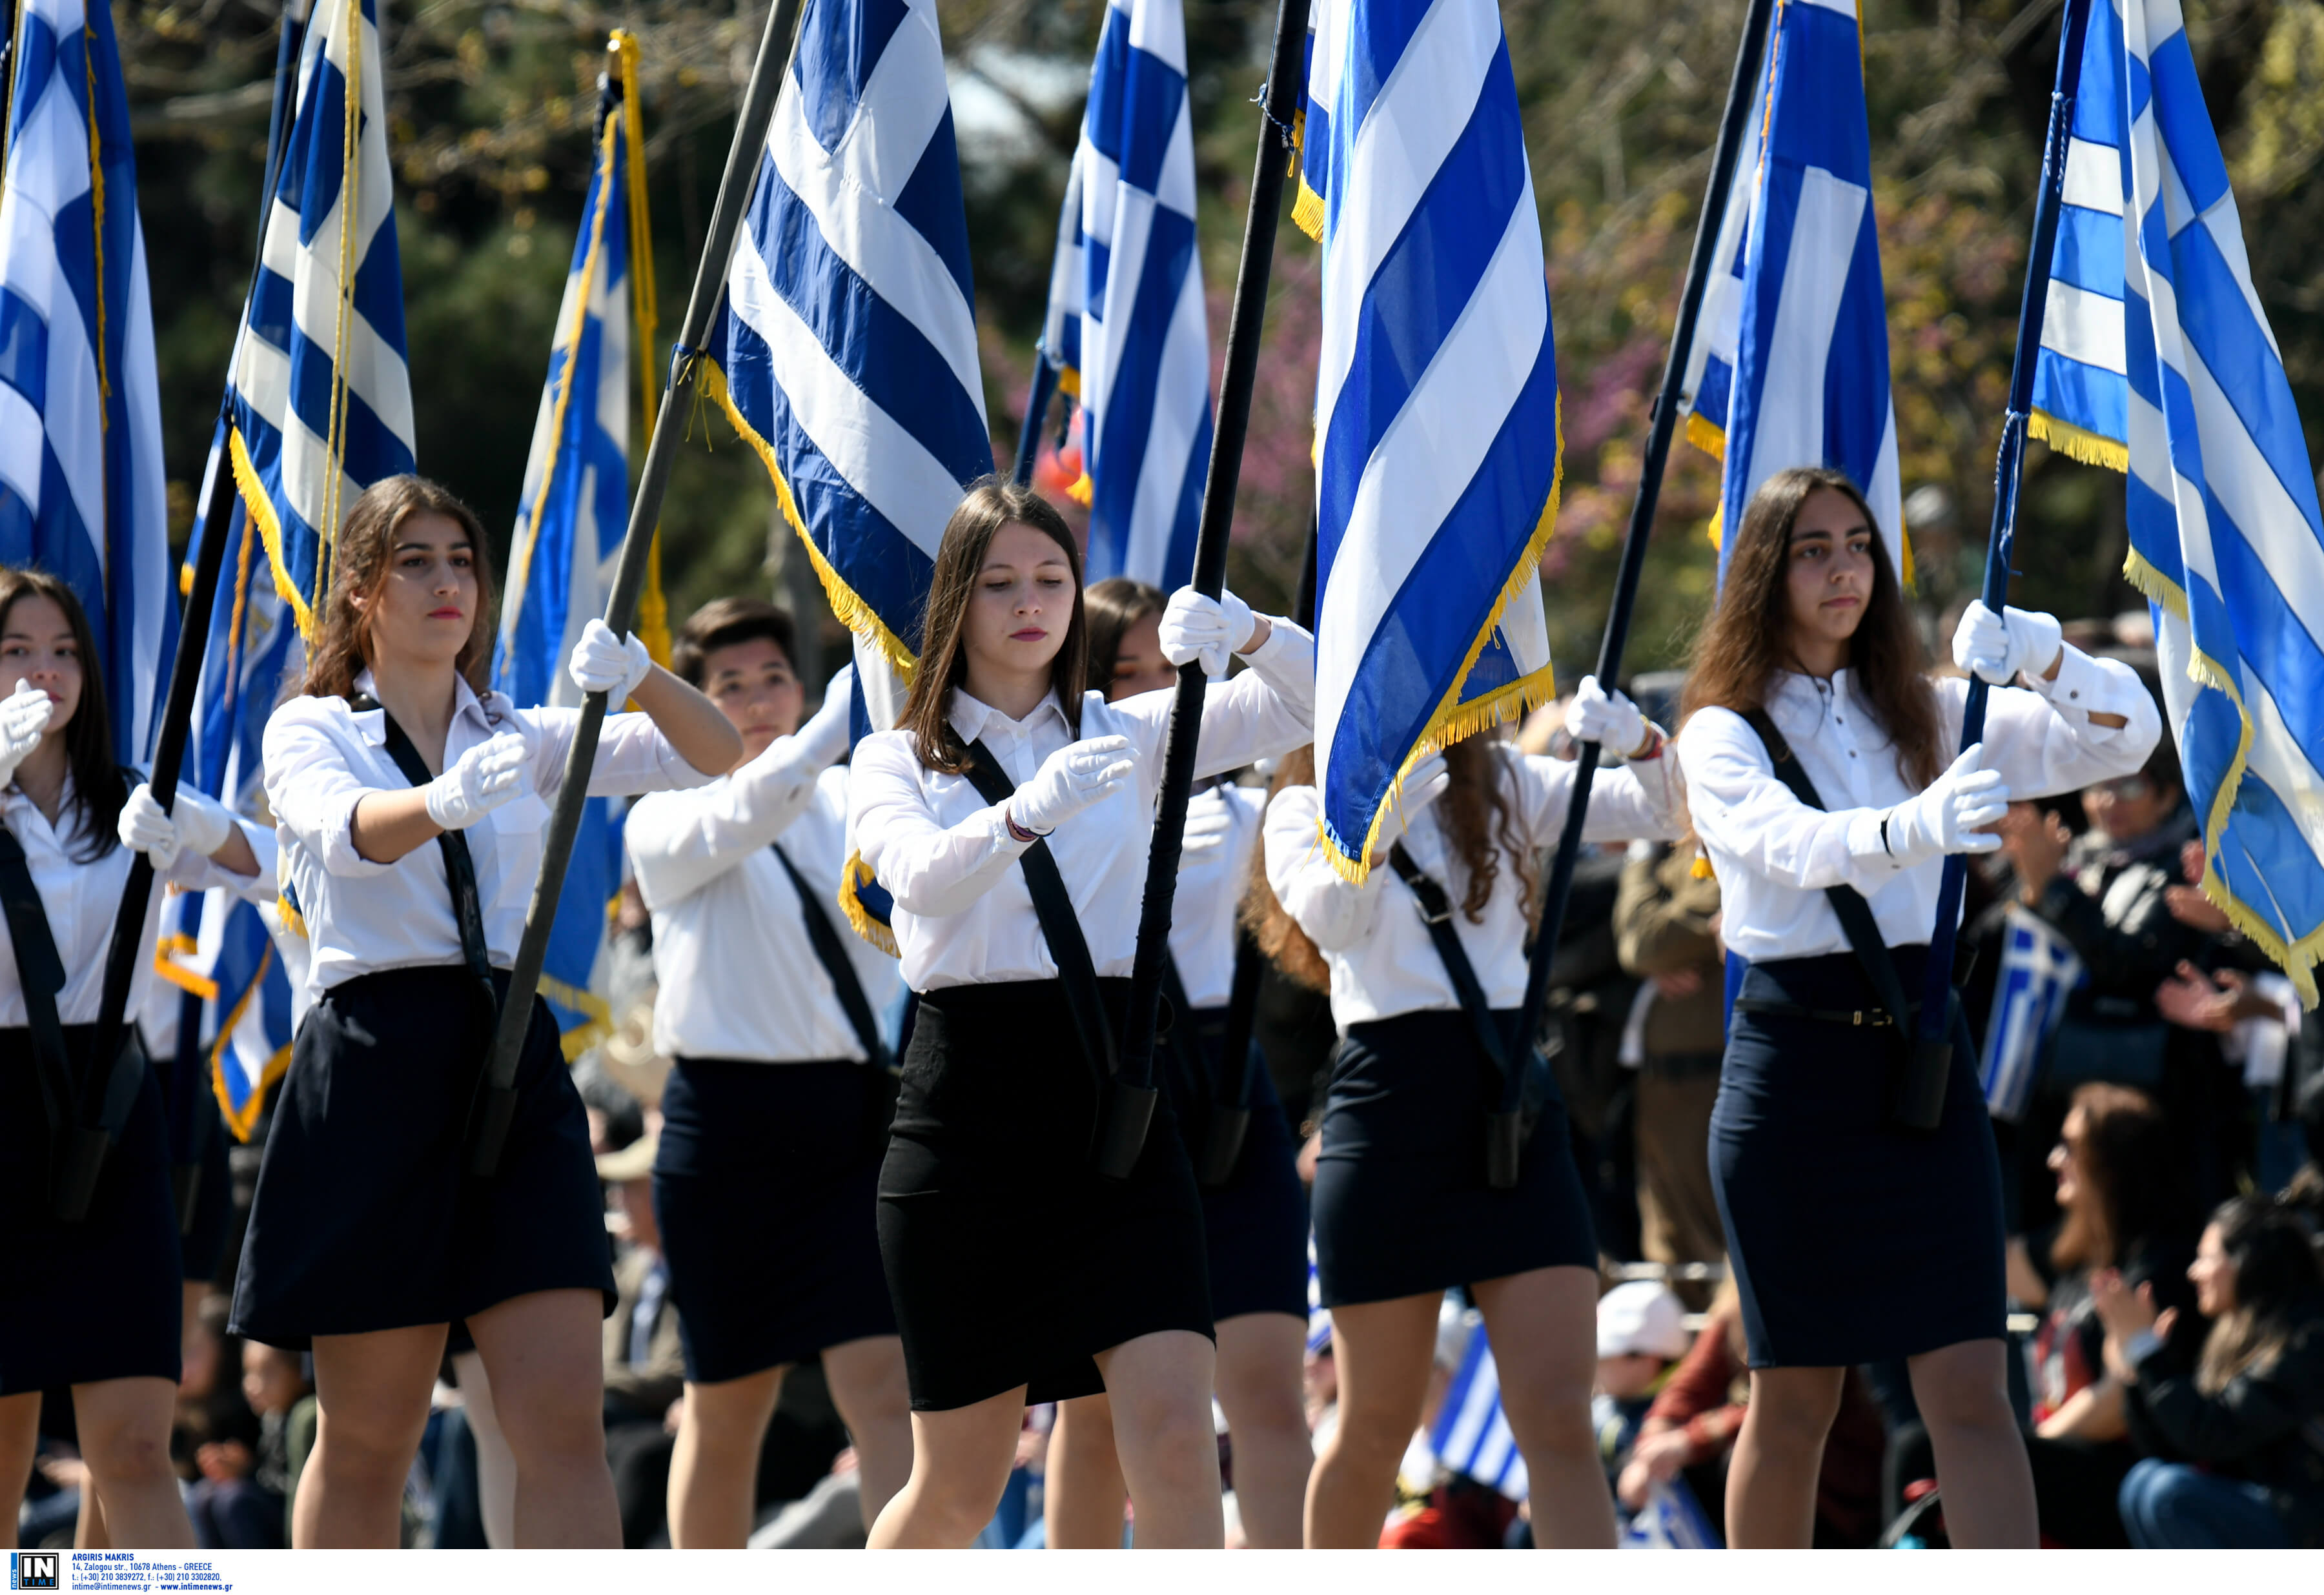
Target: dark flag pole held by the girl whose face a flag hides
{"points": [[1751, 50]]}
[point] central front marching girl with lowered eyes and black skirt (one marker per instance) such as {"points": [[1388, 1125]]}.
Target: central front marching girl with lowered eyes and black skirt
{"points": [[1019, 1271]]}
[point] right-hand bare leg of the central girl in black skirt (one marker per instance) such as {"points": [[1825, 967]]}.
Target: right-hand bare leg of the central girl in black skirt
{"points": [[1161, 1389]]}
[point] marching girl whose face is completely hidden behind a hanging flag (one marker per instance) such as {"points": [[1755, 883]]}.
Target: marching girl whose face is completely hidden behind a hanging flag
{"points": [[1405, 1199]]}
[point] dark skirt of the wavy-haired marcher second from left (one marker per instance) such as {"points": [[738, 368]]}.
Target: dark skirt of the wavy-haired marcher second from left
{"points": [[366, 1215]]}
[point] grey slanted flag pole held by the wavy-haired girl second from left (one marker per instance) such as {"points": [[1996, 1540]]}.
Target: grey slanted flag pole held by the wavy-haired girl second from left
{"points": [[496, 1099]]}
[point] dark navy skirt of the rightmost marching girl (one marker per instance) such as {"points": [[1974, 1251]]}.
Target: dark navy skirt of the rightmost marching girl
{"points": [[1851, 1240]]}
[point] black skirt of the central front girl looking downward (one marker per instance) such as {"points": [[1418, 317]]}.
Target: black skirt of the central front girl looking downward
{"points": [[1010, 1257]]}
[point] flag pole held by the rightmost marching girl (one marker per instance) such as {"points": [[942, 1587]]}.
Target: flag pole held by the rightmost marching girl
{"points": [[1921, 1103]]}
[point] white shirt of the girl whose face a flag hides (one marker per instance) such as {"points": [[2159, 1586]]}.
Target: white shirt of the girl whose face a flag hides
{"points": [[1372, 936]]}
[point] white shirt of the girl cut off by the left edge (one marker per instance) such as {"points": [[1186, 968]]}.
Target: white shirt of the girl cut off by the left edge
{"points": [[83, 901]]}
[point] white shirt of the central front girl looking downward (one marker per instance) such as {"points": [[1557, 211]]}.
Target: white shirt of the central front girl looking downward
{"points": [[945, 854]]}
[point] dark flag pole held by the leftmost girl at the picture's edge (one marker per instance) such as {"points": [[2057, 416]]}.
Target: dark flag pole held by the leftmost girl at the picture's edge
{"points": [[92, 1133]]}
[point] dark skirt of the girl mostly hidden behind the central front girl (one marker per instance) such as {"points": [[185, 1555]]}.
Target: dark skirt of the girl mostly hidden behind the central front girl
{"points": [[1256, 1222]]}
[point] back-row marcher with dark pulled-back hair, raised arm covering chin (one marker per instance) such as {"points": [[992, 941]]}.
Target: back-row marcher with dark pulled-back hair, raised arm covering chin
{"points": [[773, 1122]]}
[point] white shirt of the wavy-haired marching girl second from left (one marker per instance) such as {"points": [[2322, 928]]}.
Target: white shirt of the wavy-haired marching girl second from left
{"points": [[366, 917]]}
